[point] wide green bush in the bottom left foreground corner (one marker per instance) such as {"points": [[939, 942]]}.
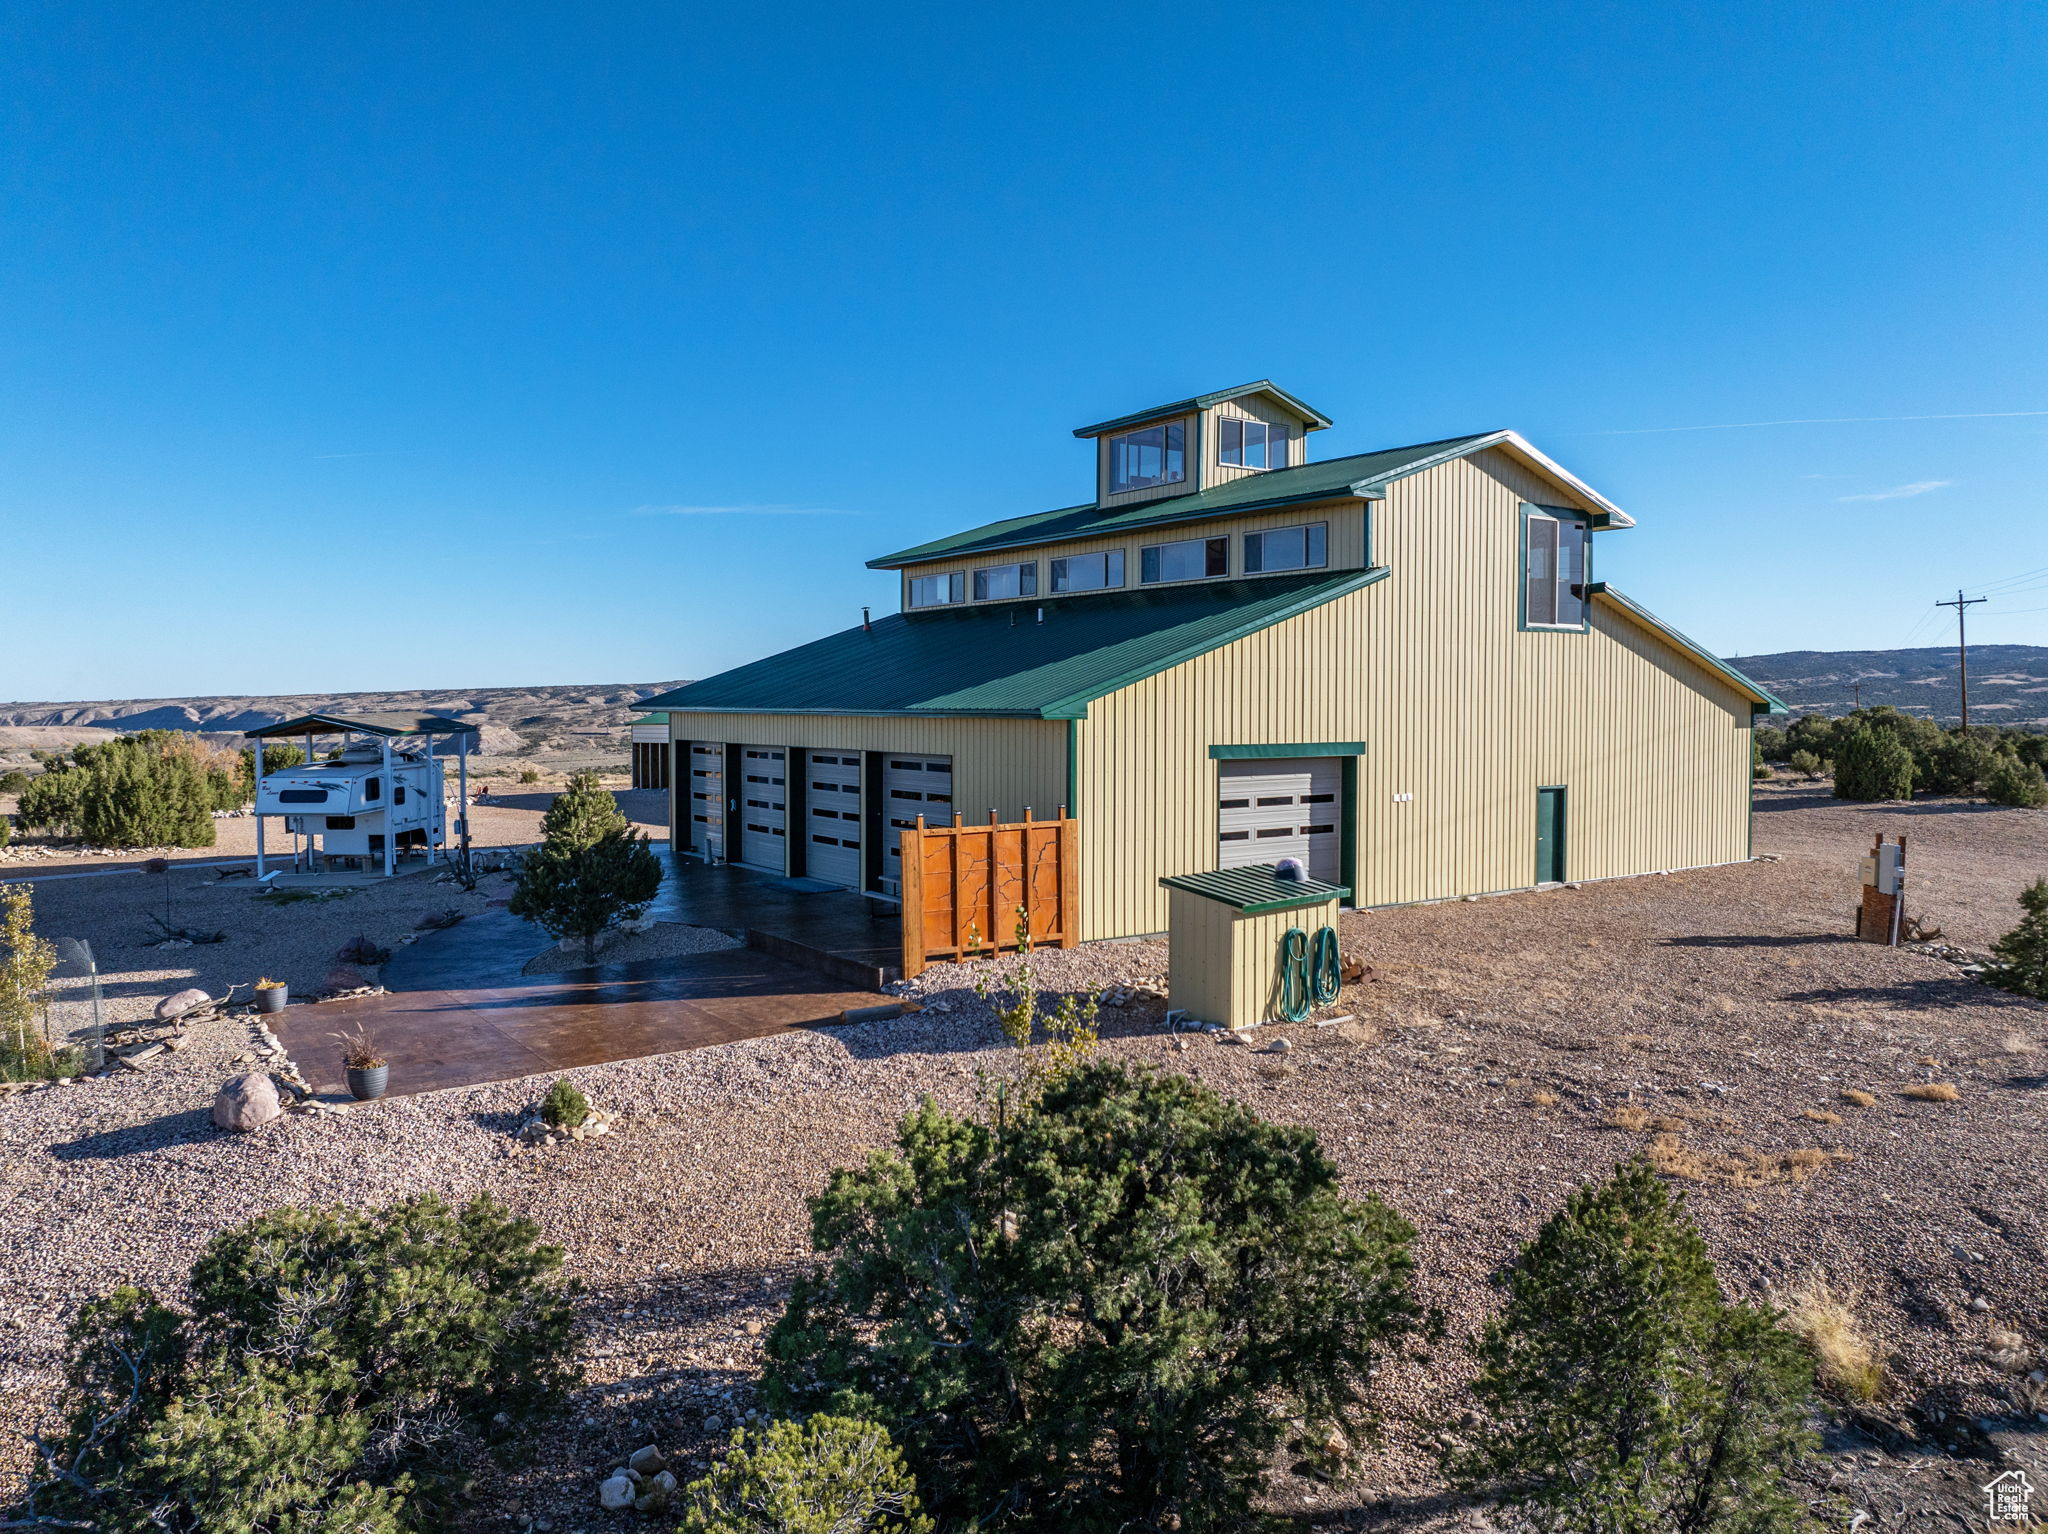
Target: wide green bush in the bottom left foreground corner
{"points": [[337, 1371]]}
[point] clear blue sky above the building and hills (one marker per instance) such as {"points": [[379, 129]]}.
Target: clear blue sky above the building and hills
{"points": [[361, 347]]}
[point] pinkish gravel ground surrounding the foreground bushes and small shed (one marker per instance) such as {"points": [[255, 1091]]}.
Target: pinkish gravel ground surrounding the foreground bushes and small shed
{"points": [[1474, 1086]]}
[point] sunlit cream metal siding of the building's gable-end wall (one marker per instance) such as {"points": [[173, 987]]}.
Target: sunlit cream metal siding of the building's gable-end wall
{"points": [[1455, 706]]}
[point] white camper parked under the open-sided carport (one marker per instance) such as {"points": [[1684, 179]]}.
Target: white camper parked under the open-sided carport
{"points": [[378, 804]]}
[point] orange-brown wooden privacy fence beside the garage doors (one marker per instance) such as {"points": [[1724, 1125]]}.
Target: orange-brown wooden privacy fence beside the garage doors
{"points": [[964, 888]]}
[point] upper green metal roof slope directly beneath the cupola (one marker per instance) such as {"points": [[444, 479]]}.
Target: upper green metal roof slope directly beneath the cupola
{"points": [[1308, 482]]}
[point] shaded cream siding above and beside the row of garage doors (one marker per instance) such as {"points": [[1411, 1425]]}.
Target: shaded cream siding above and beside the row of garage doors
{"points": [[1002, 765]]}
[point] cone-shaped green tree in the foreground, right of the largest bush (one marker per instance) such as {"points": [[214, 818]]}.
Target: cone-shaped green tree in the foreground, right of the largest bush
{"points": [[1621, 1394]]}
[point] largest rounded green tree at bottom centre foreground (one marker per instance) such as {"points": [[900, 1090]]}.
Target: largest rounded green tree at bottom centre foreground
{"points": [[1101, 1312]]}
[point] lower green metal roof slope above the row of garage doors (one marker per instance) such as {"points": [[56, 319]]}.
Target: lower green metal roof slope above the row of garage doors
{"points": [[1002, 661]]}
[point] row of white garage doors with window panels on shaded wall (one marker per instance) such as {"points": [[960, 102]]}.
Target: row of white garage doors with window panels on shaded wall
{"points": [[810, 810]]}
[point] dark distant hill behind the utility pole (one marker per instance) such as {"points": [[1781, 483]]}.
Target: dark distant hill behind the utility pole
{"points": [[2008, 683]]}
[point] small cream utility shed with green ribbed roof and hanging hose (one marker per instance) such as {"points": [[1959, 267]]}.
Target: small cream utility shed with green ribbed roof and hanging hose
{"points": [[1228, 931]]}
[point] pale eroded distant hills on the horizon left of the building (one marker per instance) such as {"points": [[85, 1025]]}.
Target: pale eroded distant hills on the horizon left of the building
{"points": [[513, 720]]}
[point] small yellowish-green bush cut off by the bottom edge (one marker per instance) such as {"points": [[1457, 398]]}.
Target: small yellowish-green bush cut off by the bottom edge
{"points": [[828, 1476]]}
